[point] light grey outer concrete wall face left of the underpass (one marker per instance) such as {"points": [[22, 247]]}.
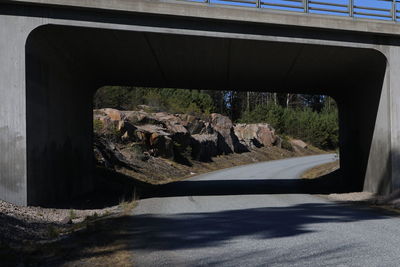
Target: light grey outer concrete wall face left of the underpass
{"points": [[13, 158]]}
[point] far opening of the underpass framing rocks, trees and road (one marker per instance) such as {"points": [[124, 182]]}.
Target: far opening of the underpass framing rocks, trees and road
{"points": [[162, 135]]}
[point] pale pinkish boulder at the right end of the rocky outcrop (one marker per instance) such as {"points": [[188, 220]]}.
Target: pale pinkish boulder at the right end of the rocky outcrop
{"points": [[255, 134]]}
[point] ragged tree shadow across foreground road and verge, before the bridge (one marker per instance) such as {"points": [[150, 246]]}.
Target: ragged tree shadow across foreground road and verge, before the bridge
{"points": [[196, 230]]}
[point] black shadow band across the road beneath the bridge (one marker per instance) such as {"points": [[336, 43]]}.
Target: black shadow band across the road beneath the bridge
{"points": [[112, 187]]}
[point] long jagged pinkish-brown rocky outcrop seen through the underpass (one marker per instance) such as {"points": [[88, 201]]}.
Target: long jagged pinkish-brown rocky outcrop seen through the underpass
{"points": [[174, 136]]}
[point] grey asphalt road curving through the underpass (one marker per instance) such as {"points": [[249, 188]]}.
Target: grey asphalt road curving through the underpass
{"points": [[243, 227]]}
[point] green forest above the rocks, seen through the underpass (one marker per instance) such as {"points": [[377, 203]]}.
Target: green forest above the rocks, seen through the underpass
{"points": [[312, 118]]}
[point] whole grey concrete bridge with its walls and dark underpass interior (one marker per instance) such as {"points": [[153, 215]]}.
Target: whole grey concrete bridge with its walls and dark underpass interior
{"points": [[54, 54]]}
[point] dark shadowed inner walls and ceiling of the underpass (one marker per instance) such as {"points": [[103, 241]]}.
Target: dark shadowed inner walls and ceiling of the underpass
{"points": [[65, 65]]}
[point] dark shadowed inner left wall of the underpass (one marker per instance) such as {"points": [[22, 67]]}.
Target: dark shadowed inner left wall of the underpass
{"points": [[59, 121]]}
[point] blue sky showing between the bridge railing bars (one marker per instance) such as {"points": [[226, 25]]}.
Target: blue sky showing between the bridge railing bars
{"points": [[382, 4]]}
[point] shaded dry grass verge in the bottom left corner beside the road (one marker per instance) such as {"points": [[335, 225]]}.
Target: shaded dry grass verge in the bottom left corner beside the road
{"points": [[100, 241]]}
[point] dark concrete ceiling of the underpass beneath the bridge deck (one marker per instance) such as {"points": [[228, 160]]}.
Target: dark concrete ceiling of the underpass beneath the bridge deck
{"points": [[112, 57]]}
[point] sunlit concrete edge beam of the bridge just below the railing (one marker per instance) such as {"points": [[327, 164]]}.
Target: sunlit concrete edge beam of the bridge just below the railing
{"points": [[225, 12]]}
